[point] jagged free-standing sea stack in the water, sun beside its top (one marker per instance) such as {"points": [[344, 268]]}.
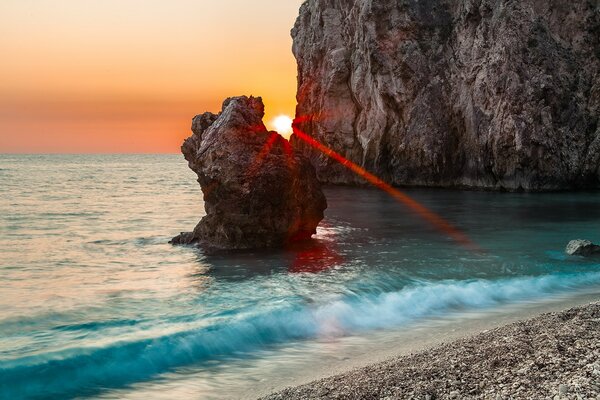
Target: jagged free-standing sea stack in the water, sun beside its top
{"points": [[258, 192]]}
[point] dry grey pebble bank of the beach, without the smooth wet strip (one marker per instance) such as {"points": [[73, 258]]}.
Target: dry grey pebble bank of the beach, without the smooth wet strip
{"points": [[555, 355]]}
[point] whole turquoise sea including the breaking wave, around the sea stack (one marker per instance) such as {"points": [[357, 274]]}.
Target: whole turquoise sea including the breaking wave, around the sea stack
{"points": [[94, 303]]}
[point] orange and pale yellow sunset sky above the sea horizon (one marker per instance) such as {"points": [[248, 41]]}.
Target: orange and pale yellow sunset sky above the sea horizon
{"points": [[127, 76]]}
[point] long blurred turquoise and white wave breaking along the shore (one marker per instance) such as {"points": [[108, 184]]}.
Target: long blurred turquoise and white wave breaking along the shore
{"points": [[85, 371]]}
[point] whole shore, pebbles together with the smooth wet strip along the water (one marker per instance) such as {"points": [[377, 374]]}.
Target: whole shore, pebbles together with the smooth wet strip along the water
{"points": [[404, 368]]}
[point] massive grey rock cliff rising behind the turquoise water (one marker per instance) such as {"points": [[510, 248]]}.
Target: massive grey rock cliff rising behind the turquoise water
{"points": [[495, 94]]}
